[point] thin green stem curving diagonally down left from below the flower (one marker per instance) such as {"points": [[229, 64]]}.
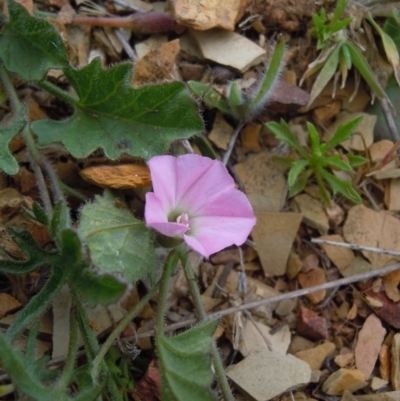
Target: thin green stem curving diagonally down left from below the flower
{"points": [[118, 330]]}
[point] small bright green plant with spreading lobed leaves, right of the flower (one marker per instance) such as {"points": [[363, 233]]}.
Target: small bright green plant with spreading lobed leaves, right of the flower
{"points": [[318, 159]]}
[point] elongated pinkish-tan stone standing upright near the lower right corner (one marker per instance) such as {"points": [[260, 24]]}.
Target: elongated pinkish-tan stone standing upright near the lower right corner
{"points": [[370, 339]]}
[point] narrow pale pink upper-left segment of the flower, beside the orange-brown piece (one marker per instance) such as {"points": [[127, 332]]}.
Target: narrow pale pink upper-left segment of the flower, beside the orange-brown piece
{"points": [[163, 177]]}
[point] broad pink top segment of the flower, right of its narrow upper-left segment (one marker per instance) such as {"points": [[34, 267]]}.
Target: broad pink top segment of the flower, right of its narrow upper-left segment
{"points": [[199, 181]]}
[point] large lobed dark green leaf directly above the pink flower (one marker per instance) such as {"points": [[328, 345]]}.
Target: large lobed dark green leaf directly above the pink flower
{"points": [[117, 118]]}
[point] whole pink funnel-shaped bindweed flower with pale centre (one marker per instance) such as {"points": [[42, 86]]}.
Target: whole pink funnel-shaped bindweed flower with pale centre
{"points": [[195, 199]]}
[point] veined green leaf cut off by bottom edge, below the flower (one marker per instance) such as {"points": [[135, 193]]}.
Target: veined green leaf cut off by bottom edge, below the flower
{"points": [[185, 364]]}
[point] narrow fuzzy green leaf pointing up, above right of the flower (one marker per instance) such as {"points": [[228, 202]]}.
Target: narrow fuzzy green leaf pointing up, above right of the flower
{"points": [[270, 78]]}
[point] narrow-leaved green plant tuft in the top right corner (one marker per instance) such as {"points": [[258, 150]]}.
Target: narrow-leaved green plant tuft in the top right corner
{"points": [[343, 44]]}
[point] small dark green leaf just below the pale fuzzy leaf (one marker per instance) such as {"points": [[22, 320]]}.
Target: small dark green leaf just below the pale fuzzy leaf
{"points": [[104, 289]]}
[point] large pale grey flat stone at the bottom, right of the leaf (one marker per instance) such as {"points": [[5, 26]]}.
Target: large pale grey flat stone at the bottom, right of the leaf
{"points": [[284, 373]]}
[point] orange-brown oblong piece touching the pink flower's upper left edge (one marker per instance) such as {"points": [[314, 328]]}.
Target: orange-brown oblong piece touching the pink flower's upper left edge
{"points": [[124, 176]]}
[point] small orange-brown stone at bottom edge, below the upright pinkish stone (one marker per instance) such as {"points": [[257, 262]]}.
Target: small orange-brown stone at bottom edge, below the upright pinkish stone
{"points": [[344, 379]]}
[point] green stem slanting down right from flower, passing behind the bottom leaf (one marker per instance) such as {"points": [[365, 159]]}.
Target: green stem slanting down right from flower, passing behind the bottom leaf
{"points": [[202, 315]]}
